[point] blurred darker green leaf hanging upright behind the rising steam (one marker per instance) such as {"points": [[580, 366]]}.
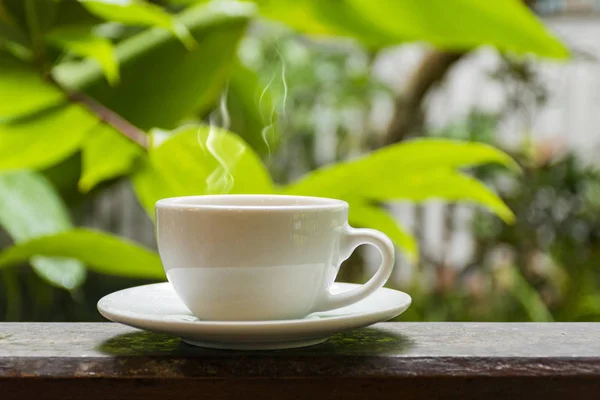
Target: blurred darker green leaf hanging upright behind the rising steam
{"points": [[251, 110]]}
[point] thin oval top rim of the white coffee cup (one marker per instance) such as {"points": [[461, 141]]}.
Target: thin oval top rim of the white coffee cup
{"points": [[311, 203]]}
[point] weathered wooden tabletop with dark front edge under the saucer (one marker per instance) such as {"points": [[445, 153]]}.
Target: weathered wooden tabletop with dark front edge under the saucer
{"points": [[387, 361]]}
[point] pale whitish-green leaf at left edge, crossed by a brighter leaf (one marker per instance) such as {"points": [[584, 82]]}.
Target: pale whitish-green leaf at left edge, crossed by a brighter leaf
{"points": [[30, 208]]}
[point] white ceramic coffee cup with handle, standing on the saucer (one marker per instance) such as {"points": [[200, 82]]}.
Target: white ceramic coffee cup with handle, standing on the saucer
{"points": [[261, 257]]}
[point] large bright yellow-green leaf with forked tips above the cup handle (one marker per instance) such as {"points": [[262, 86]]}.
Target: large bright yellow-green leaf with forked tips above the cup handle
{"points": [[416, 170]]}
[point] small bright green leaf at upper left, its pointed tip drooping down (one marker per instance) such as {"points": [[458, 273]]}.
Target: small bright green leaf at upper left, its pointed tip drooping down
{"points": [[81, 41]]}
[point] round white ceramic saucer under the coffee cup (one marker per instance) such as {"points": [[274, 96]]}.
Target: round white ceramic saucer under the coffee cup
{"points": [[157, 308]]}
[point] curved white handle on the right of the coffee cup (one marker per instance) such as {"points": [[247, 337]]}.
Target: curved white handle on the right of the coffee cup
{"points": [[351, 238]]}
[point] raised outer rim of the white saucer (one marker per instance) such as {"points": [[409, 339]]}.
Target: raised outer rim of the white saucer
{"points": [[135, 319]]}
